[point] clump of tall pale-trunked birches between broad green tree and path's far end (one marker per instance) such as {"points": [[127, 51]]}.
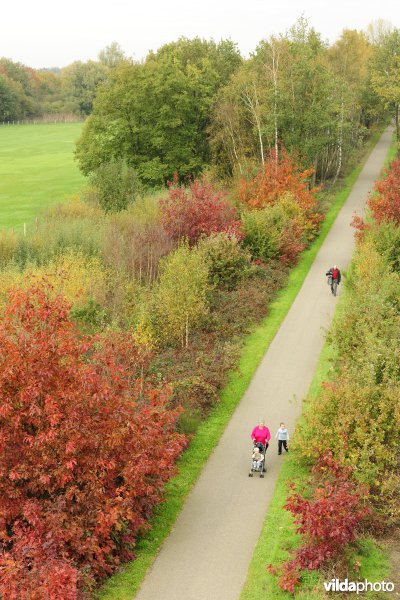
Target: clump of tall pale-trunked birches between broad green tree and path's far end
{"points": [[296, 91]]}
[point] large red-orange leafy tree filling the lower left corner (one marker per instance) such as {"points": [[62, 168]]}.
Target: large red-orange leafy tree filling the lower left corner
{"points": [[83, 454]]}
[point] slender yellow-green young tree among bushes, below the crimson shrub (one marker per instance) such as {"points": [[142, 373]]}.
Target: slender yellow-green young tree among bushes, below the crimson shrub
{"points": [[181, 295]]}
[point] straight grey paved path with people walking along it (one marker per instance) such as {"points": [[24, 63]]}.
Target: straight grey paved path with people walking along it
{"points": [[207, 554]]}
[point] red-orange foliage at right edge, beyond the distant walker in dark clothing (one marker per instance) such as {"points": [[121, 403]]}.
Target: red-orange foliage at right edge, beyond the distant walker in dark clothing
{"points": [[385, 203]]}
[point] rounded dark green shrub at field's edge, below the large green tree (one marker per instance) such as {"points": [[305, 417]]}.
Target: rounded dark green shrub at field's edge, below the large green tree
{"points": [[116, 185]]}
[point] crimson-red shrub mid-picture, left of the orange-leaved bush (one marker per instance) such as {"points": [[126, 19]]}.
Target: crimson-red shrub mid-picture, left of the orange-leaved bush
{"points": [[198, 210]]}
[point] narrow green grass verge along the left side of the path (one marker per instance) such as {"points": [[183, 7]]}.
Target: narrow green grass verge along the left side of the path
{"points": [[123, 585]]}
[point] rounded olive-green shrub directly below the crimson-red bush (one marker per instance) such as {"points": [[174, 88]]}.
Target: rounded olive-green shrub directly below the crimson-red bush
{"points": [[227, 261]]}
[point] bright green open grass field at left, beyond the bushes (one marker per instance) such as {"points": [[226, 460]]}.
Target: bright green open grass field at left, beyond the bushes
{"points": [[37, 168]]}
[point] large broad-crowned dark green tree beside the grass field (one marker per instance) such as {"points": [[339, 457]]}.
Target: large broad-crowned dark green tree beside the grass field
{"points": [[157, 114]]}
